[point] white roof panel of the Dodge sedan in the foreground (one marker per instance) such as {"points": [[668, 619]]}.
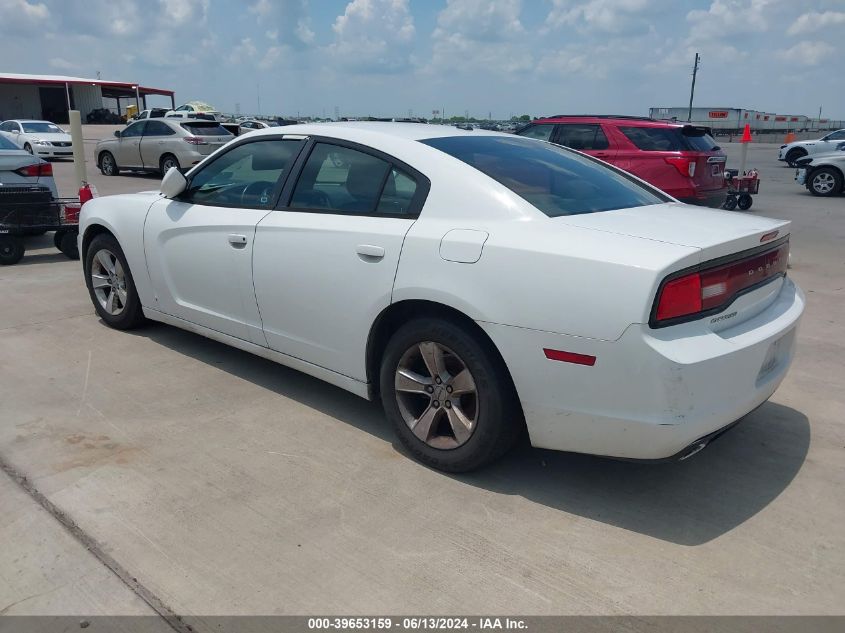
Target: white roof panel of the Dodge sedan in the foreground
{"points": [[356, 130]]}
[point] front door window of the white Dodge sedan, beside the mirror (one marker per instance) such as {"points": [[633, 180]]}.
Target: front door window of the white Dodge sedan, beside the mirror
{"points": [[246, 176]]}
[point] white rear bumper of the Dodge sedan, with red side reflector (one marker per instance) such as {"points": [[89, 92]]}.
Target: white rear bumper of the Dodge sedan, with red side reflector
{"points": [[652, 394]]}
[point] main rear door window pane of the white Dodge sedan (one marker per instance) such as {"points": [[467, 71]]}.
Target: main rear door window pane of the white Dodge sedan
{"points": [[341, 180]]}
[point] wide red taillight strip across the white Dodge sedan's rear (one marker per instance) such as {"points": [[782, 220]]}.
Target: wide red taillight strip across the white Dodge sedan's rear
{"points": [[712, 288]]}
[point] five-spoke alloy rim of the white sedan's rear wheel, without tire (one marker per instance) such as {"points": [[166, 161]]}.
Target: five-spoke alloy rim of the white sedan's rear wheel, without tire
{"points": [[437, 395]]}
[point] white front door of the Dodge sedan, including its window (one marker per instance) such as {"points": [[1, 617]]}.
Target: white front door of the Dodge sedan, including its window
{"points": [[199, 247]]}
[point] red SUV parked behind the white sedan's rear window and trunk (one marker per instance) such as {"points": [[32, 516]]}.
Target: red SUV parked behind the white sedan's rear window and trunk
{"points": [[682, 160]]}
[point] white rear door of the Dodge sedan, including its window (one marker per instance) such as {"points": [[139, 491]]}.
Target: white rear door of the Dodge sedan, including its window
{"points": [[325, 261]]}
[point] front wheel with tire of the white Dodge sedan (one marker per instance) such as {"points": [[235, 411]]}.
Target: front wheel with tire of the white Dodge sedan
{"points": [[110, 284]]}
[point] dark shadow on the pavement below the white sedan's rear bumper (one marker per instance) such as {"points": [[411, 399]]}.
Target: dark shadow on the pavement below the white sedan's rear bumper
{"points": [[687, 503]]}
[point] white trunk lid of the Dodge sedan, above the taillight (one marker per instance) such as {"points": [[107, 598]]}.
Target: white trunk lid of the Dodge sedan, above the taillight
{"points": [[716, 233]]}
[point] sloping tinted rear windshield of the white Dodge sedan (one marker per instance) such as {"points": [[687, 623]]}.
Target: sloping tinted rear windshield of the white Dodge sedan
{"points": [[555, 180]]}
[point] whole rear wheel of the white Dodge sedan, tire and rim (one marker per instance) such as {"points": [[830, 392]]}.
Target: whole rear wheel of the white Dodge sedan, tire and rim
{"points": [[448, 396]]}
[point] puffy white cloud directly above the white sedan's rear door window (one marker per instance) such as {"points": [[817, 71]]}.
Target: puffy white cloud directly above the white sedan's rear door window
{"points": [[373, 36]]}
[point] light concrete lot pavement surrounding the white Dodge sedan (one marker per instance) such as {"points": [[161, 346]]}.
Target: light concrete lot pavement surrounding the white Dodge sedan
{"points": [[229, 485]]}
